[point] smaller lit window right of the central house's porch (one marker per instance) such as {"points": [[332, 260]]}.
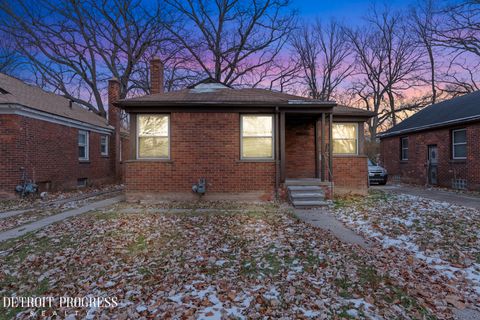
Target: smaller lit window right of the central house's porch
{"points": [[345, 138]]}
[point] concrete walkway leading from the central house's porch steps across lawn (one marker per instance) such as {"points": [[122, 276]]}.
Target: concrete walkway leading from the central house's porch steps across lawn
{"points": [[323, 219]]}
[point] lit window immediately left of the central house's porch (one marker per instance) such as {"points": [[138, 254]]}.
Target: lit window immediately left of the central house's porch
{"points": [[256, 136]]}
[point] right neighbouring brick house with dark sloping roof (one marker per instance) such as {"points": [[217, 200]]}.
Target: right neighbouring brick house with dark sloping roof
{"points": [[439, 145]]}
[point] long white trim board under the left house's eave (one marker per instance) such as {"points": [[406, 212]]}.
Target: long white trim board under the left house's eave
{"points": [[19, 110]]}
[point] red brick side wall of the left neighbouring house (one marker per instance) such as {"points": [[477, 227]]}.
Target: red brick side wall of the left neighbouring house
{"points": [[49, 152]]}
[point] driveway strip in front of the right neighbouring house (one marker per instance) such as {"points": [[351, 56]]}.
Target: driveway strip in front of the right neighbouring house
{"points": [[434, 194]]}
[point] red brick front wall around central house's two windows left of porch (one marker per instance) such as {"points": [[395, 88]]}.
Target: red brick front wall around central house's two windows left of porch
{"points": [[203, 145]]}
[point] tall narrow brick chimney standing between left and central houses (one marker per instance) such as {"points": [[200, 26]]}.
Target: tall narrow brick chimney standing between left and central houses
{"points": [[114, 121]]}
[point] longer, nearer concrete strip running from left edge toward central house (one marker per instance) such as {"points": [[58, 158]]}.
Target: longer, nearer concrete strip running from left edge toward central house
{"points": [[20, 231]]}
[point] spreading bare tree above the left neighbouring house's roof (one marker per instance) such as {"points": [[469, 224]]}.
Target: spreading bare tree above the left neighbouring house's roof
{"points": [[75, 46]]}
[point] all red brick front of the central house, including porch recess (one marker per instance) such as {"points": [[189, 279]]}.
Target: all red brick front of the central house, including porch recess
{"points": [[207, 145]]}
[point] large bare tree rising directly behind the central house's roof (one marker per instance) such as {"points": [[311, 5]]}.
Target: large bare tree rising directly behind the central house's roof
{"points": [[230, 39]]}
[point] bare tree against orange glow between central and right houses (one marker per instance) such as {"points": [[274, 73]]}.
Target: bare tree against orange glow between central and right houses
{"points": [[388, 63]]}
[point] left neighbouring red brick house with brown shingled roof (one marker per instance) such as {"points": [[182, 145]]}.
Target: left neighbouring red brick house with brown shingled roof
{"points": [[60, 144]]}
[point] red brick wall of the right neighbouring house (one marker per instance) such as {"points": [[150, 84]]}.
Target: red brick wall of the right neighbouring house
{"points": [[414, 170]]}
